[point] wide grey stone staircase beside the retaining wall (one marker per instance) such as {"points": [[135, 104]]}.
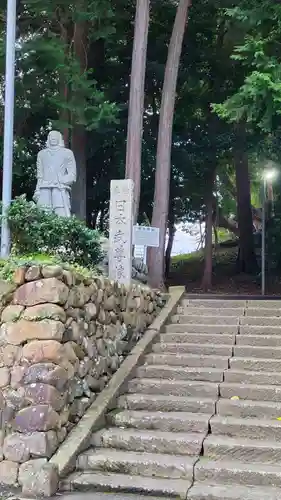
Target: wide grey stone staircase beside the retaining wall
{"points": [[202, 418]]}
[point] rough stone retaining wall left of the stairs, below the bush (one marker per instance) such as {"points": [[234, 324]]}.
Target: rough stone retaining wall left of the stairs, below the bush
{"points": [[62, 337]]}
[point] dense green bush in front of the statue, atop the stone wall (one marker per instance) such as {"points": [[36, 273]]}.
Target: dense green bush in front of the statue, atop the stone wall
{"points": [[36, 230]]}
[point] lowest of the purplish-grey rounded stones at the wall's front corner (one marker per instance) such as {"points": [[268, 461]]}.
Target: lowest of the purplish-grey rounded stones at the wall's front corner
{"points": [[36, 418]]}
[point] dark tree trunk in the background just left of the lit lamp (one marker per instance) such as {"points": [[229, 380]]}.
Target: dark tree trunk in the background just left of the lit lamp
{"points": [[247, 259]]}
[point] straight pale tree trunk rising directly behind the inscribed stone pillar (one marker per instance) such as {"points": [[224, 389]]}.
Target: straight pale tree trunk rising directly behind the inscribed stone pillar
{"points": [[136, 103]]}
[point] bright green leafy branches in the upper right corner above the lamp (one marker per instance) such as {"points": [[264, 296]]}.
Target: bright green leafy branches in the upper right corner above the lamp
{"points": [[257, 100]]}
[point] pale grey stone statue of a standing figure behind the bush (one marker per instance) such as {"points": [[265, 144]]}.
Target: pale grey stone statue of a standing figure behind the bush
{"points": [[56, 172]]}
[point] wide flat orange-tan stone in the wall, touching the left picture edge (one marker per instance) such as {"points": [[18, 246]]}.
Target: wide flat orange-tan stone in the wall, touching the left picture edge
{"points": [[20, 332]]}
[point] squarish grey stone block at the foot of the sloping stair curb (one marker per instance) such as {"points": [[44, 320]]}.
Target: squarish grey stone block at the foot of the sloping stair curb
{"points": [[41, 481]]}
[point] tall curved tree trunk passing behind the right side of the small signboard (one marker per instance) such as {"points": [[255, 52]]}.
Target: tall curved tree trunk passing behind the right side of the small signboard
{"points": [[163, 159]]}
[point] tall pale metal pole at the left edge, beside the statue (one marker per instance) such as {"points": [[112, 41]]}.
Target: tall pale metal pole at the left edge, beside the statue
{"points": [[8, 123]]}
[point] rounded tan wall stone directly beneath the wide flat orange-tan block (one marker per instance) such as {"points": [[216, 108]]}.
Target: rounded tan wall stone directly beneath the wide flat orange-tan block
{"points": [[45, 350]]}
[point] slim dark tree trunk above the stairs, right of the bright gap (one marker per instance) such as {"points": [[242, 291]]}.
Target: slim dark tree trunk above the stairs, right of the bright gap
{"points": [[208, 264]]}
